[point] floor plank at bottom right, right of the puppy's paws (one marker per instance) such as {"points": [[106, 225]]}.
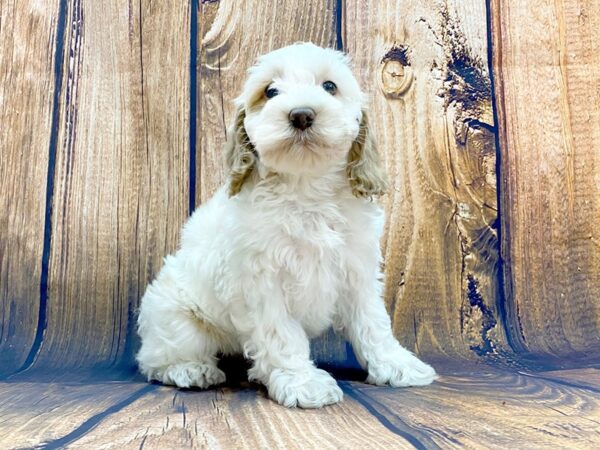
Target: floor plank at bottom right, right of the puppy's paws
{"points": [[494, 410]]}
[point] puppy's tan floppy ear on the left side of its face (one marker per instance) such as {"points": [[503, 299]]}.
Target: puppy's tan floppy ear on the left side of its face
{"points": [[239, 153]]}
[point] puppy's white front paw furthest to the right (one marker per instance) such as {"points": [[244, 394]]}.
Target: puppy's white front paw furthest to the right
{"points": [[406, 370]]}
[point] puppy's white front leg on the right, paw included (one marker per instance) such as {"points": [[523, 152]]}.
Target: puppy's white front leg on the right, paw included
{"points": [[368, 327]]}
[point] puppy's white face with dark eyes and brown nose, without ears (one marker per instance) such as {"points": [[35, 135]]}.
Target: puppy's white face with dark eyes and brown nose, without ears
{"points": [[303, 108]]}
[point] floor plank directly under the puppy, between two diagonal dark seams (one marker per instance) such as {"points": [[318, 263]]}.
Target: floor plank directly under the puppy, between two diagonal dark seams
{"points": [[240, 419]]}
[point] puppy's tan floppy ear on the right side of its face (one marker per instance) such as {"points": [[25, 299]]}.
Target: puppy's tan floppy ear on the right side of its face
{"points": [[365, 171]]}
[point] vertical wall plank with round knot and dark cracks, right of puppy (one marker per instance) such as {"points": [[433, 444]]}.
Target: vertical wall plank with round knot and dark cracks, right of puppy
{"points": [[425, 66]]}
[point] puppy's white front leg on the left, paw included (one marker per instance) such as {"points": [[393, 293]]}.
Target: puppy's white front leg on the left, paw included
{"points": [[280, 352]]}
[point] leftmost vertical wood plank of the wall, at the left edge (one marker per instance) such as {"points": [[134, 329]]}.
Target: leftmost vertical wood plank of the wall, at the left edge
{"points": [[27, 37]]}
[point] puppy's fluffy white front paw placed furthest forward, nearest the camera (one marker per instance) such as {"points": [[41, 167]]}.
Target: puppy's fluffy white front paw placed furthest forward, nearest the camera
{"points": [[310, 388]]}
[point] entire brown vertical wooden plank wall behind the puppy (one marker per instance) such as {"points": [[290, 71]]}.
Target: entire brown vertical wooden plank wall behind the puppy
{"points": [[117, 113]]}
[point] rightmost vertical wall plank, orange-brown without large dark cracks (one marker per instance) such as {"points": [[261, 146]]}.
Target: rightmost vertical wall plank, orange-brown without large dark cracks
{"points": [[547, 65]]}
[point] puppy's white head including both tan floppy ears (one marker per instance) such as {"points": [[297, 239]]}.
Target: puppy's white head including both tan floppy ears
{"points": [[301, 112]]}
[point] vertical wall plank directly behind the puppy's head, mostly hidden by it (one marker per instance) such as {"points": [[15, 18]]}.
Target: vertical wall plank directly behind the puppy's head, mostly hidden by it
{"points": [[231, 36]]}
